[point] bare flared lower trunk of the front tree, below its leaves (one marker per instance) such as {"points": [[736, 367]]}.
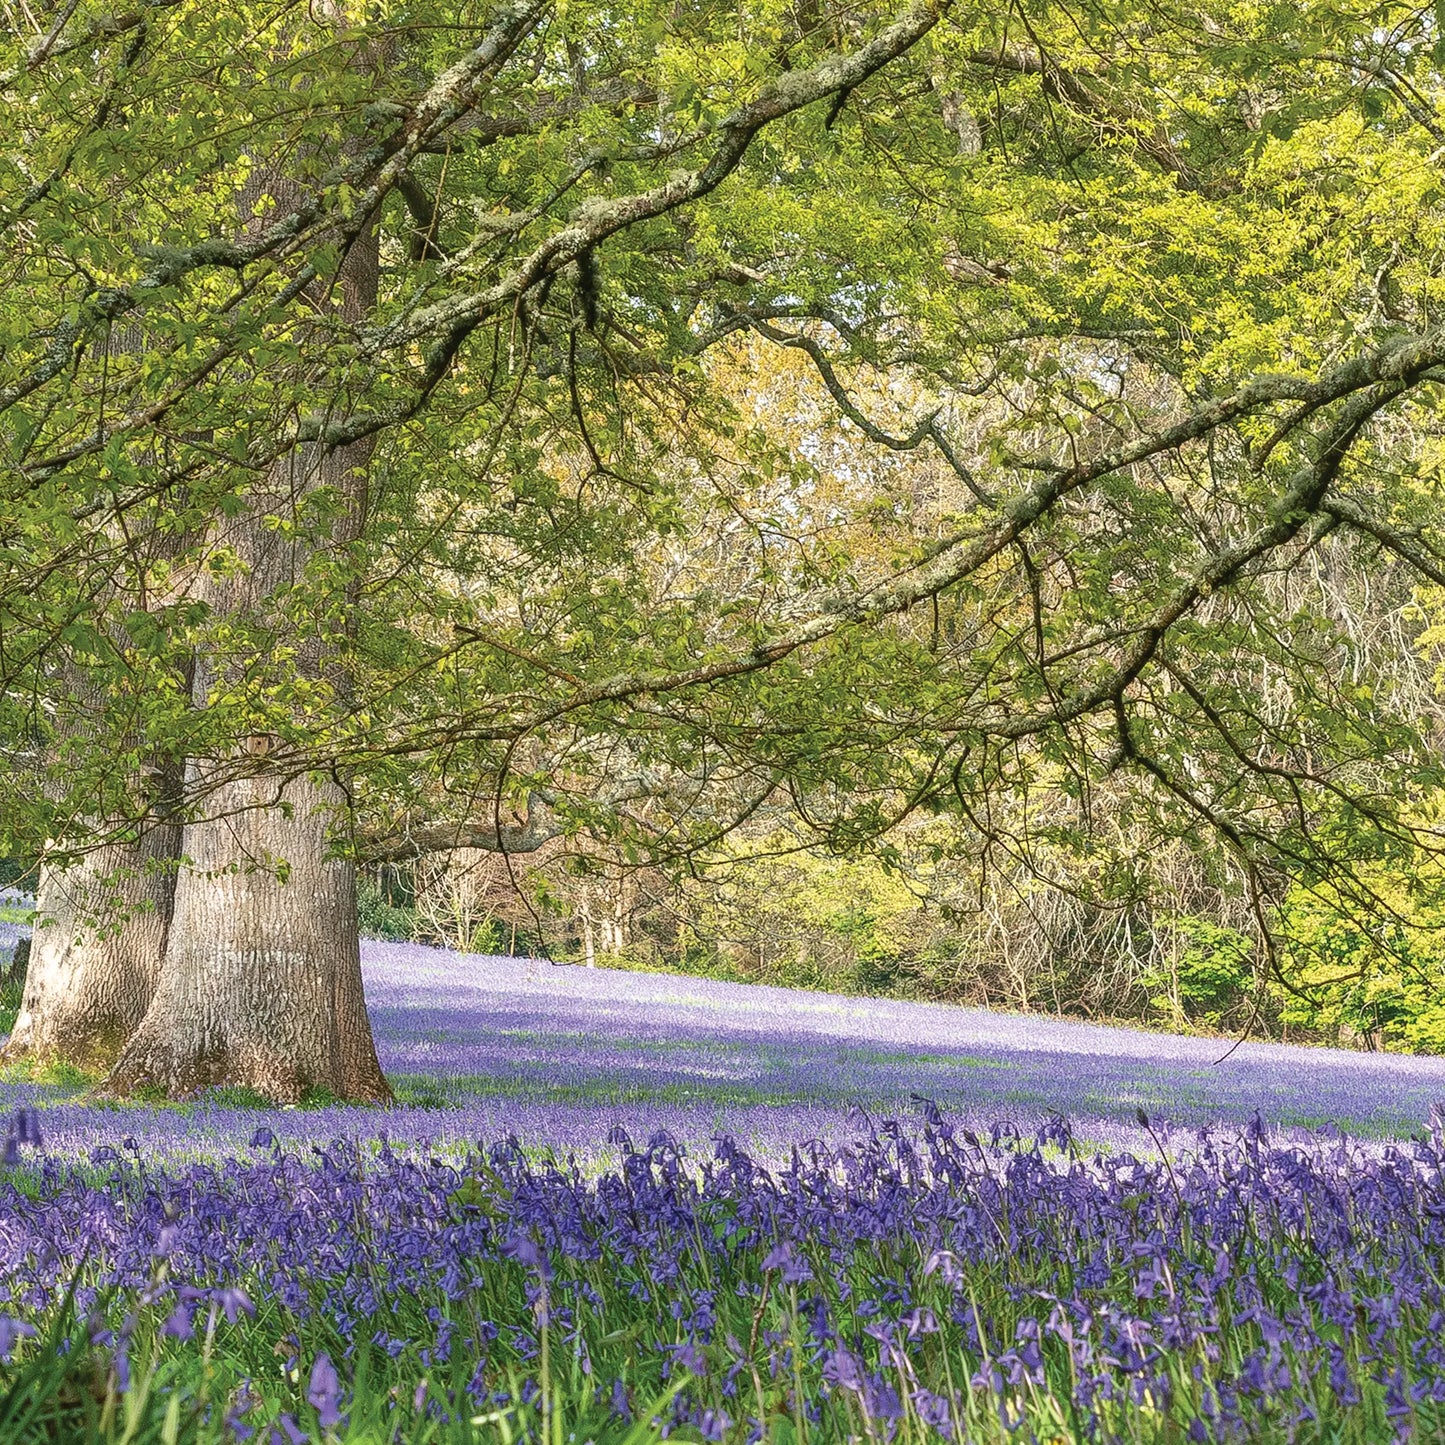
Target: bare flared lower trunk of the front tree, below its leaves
{"points": [[262, 980]]}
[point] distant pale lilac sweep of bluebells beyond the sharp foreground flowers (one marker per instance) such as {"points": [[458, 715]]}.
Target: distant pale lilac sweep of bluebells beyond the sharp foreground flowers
{"points": [[480, 1048]]}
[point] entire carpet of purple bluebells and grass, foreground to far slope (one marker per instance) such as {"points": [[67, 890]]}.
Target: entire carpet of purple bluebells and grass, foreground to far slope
{"points": [[619, 1207]]}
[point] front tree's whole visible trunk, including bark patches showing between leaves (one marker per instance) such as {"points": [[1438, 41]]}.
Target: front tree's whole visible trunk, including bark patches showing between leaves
{"points": [[261, 986]]}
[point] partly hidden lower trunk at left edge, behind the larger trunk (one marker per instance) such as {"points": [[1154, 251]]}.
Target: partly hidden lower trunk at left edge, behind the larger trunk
{"points": [[96, 954]]}
